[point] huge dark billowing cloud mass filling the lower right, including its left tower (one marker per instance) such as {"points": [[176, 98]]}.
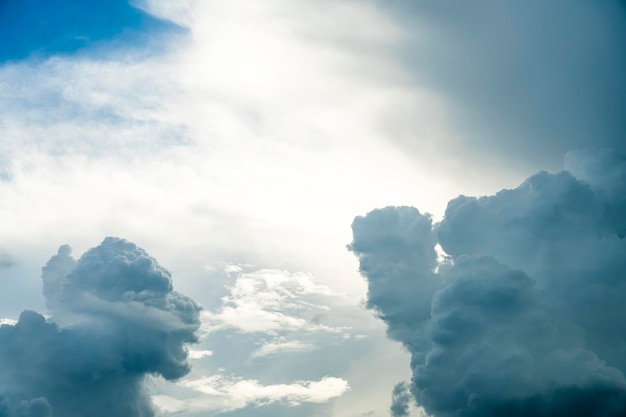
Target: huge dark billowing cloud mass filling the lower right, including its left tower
{"points": [[525, 314]]}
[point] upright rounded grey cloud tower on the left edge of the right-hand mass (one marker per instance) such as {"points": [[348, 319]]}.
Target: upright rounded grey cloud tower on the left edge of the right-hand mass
{"points": [[397, 245]]}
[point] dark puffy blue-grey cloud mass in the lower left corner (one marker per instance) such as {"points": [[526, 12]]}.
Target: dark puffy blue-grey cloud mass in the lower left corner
{"points": [[115, 319]]}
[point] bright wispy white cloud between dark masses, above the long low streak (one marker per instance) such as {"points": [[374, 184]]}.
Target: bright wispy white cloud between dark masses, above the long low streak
{"points": [[270, 301]]}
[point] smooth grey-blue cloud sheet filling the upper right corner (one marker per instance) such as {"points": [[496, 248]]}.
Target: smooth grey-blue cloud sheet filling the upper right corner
{"points": [[522, 75]]}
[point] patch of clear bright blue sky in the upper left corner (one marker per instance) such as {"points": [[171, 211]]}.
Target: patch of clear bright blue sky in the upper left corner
{"points": [[42, 27]]}
